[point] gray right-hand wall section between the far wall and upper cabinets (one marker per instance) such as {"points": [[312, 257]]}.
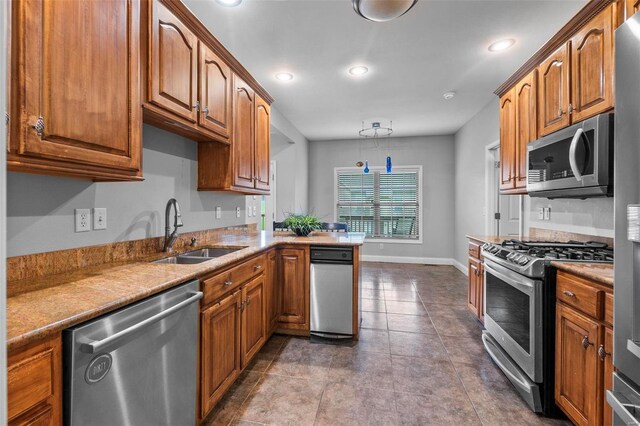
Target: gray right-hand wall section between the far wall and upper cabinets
{"points": [[470, 145]]}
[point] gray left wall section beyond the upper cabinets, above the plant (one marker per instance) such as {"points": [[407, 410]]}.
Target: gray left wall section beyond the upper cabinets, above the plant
{"points": [[290, 150]]}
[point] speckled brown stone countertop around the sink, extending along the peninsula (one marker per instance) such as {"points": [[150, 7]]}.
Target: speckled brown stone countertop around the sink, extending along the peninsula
{"points": [[39, 307]]}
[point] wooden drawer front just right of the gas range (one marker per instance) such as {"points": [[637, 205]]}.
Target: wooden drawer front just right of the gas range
{"points": [[579, 294]]}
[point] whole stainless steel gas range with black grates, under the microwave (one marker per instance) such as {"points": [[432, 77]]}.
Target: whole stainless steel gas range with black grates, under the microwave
{"points": [[519, 311]]}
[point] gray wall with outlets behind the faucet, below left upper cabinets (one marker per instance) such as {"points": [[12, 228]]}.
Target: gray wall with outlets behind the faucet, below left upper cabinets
{"points": [[41, 208]]}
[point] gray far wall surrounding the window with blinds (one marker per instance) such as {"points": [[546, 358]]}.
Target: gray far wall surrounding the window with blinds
{"points": [[433, 153]]}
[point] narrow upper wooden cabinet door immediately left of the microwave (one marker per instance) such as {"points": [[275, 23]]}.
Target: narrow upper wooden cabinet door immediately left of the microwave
{"points": [[526, 125]]}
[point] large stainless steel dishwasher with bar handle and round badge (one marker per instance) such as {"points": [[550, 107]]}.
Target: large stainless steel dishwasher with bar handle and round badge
{"points": [[137, 365]]}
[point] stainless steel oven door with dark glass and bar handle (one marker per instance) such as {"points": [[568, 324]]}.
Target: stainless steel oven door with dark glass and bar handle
{"points": [[513, 316]]}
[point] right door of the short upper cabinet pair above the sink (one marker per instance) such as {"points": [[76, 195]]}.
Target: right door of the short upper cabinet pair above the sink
{"points": [[215, 92]]}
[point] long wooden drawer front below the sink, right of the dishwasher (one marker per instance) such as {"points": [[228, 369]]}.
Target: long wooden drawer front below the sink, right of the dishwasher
{"points": [[218, 285]]}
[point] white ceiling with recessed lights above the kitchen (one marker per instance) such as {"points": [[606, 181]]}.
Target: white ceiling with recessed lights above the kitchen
{"points": [[437, 47]]}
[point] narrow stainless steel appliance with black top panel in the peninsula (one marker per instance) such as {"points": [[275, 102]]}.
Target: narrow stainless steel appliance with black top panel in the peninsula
{"points": [[331, 292]]}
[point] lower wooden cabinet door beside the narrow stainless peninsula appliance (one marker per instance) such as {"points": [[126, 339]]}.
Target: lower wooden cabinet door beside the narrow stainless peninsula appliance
{"points": [[294, 282]]}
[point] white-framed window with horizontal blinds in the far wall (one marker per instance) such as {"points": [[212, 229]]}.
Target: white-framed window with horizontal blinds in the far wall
{"points": [[382, 205]]}
